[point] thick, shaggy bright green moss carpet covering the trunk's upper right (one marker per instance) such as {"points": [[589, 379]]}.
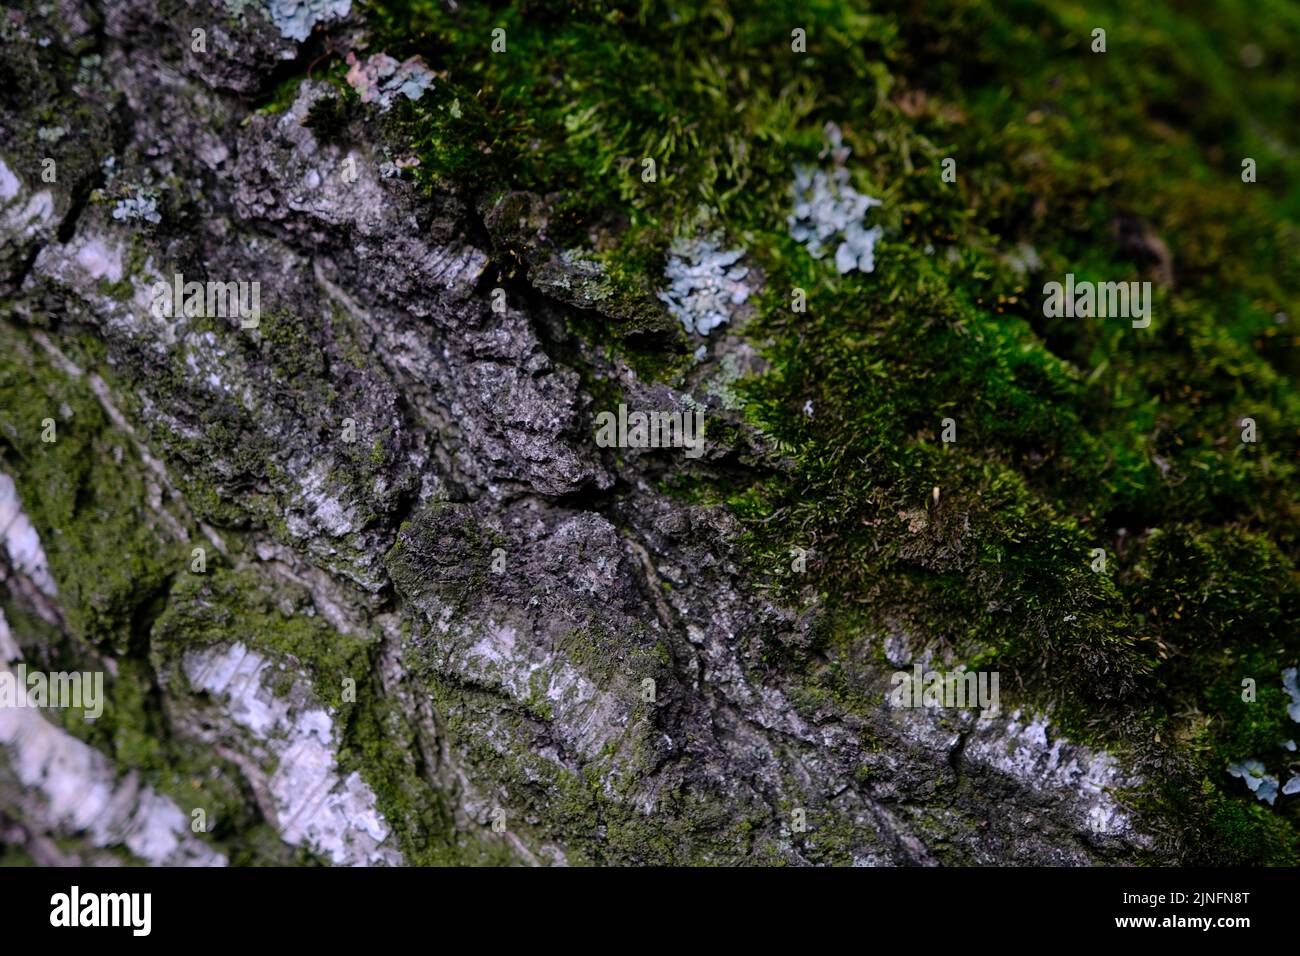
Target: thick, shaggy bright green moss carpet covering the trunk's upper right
{"points": [[1073, 435]]}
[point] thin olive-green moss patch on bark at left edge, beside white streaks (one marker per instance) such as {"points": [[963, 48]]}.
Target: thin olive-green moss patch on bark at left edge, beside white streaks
{"points": [[89, 496]]}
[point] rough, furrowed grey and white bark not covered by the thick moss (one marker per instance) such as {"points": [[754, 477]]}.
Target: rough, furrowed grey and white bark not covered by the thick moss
{"points": [[430, 639]]}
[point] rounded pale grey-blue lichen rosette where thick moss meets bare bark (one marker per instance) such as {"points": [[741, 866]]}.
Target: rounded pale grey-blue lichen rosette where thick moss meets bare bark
{"points": [[705, 284]]}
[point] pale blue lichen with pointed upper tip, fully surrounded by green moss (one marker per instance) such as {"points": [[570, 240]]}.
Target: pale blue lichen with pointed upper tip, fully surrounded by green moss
{"points": [[829, 211]]}
